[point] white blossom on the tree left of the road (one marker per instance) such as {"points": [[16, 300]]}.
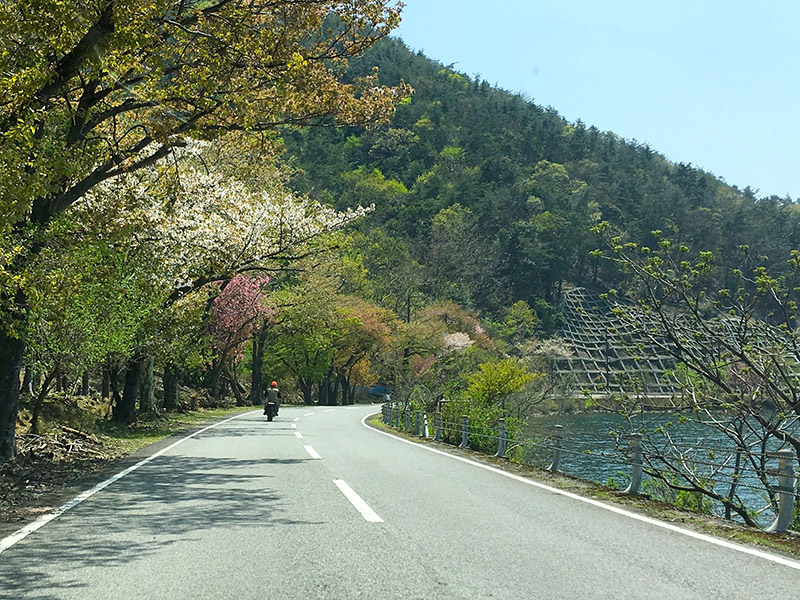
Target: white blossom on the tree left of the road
{"points": [[198, 223]]}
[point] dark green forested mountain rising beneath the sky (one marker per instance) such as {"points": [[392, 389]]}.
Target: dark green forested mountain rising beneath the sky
{"points": [[484, 198]]}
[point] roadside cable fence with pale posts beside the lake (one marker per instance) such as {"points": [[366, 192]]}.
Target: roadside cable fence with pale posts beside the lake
{"points": [[548, 447]]}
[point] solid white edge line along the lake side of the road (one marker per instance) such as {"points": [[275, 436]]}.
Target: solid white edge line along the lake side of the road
{"points": [[615, 509]]}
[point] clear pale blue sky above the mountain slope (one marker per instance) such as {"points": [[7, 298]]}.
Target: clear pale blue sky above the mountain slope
{"points": [[708, 82]]}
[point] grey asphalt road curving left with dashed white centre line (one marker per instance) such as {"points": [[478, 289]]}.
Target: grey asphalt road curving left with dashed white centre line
{"points": [[316, 505]]}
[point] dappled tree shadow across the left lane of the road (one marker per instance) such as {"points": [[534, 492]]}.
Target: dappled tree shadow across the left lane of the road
{"points": [[174, 498]]}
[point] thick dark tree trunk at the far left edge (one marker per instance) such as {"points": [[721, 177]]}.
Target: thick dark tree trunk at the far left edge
{"points": [[12, 353]]}
